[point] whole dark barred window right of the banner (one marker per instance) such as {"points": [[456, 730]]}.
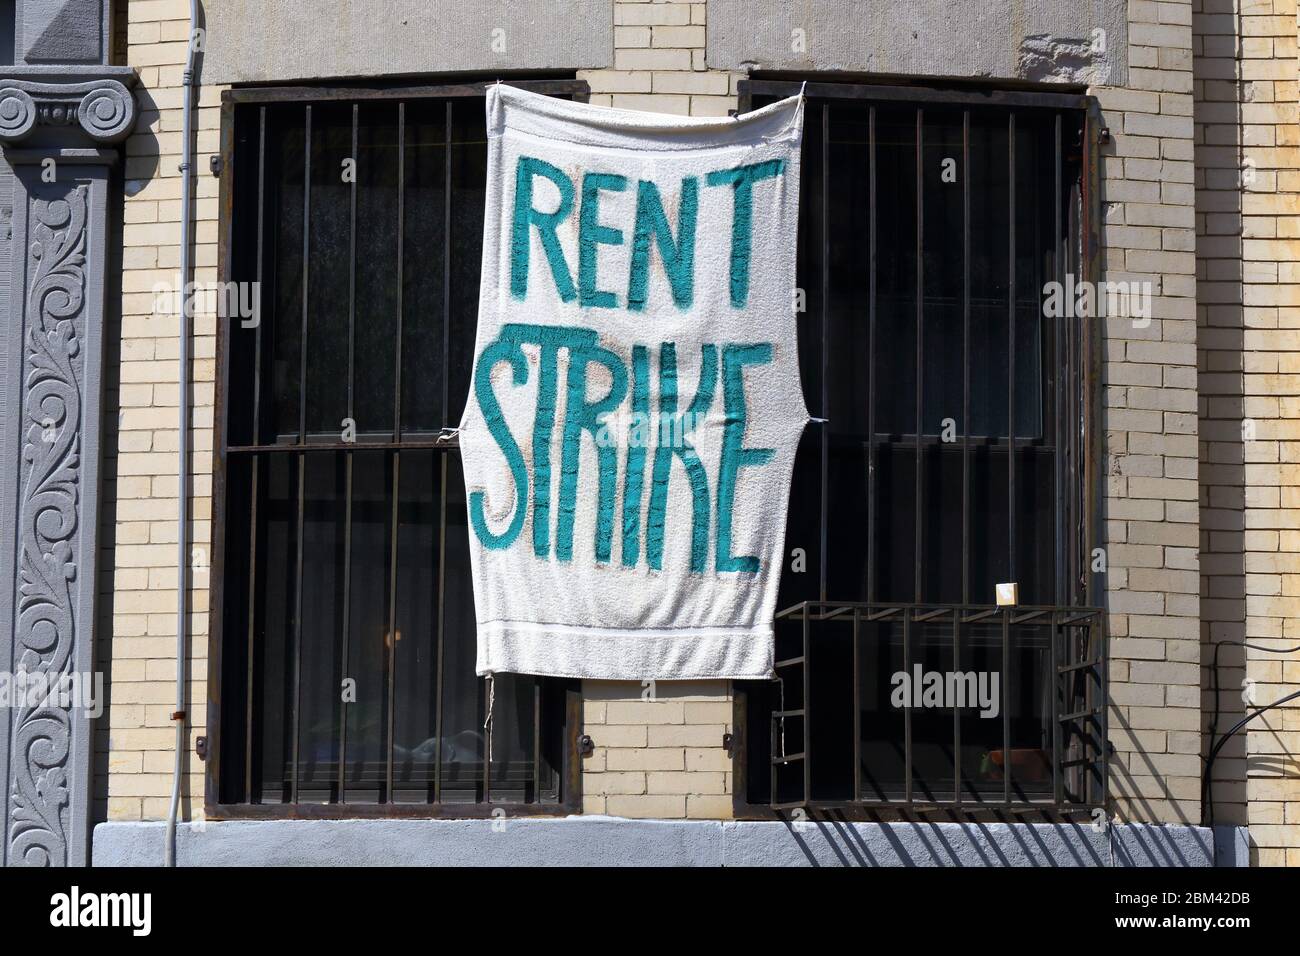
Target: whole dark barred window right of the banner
{"points": [[956, 451]]}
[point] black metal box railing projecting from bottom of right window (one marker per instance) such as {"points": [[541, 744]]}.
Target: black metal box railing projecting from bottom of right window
{"points": [[1078, 759]]}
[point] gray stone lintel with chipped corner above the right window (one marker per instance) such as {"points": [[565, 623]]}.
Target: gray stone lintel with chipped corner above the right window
{"points": [[1050, 41]]}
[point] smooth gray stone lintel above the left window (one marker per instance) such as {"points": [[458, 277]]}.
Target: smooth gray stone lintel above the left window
{"points": [[252, 41]]}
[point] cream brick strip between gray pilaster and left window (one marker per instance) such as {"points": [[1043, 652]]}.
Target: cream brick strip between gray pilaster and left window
{"points": [[142, 416]]}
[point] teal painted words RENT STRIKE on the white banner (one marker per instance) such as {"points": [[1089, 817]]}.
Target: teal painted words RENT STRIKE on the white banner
{"points": [[644, 383]]}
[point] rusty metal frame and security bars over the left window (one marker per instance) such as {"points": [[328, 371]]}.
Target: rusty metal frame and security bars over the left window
{"points": [[557, 723]]}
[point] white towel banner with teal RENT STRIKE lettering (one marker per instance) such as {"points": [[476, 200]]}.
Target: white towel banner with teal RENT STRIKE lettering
{"points": [[636, 405]]}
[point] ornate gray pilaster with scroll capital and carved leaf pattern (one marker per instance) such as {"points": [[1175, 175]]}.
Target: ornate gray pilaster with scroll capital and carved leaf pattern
{"points": [[62, 113]]}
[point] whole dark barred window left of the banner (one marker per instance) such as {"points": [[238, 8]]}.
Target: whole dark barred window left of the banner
{"points": [[344, 660]]}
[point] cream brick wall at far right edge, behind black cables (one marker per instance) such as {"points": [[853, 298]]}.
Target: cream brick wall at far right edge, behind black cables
{"points": [[1249, 249]]}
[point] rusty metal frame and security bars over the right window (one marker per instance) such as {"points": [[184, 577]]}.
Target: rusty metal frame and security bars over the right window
{"points": [[1078, 678]]}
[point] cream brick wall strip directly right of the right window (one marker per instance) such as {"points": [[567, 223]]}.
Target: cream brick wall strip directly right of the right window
{"points": [[1150, 396]]}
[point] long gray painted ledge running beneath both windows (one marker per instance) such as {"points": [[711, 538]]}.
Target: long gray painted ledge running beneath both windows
{"points": [[613, 842]]}
